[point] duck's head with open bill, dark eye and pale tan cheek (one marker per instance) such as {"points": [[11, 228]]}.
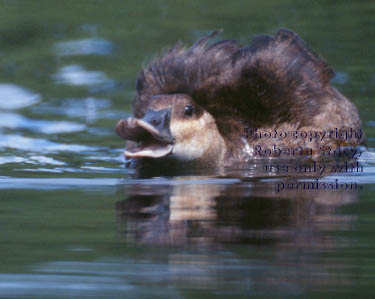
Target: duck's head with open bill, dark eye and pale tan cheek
{"points": [[176, 128]]}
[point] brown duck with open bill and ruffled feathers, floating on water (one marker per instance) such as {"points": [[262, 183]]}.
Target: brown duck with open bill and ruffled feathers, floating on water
{"points": [[221, 104]]}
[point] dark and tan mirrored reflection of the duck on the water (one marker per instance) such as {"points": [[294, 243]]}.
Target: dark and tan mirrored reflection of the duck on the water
{"points": [[214, 211]]}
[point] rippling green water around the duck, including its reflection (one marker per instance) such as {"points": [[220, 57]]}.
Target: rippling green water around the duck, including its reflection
{"points": [[76, 223]]}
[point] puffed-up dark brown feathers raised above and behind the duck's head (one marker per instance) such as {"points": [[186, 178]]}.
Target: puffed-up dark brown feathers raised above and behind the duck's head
{"points": [[264, 78]]}
